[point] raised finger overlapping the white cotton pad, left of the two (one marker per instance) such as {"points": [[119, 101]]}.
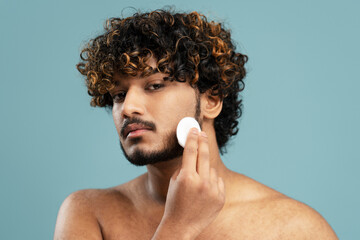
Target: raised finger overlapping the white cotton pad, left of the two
{"points": [[190, 151]]}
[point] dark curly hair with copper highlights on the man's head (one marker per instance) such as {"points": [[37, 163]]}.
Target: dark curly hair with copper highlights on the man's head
{"points": [[187, 47]]}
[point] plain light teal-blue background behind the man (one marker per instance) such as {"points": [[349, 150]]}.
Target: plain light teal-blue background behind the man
{"points": [[299, 133]]}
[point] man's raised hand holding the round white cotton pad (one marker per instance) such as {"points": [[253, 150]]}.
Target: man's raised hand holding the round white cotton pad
{"points": [[195, 194]]}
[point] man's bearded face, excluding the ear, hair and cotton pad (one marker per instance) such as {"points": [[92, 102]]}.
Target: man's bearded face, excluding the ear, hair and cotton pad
{"points": [[146, 112]]}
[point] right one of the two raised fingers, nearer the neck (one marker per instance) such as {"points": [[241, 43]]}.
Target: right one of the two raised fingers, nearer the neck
{"points": [[203, 161]]}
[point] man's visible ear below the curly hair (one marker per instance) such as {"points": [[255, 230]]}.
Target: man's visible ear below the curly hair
{"points": [[211, 106]]}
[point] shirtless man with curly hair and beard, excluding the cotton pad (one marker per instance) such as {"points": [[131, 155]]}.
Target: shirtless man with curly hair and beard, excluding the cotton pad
{"points": [[153, 69]]}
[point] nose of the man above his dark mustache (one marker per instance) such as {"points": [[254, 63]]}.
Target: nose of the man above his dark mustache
{"points": [[133, 104]]}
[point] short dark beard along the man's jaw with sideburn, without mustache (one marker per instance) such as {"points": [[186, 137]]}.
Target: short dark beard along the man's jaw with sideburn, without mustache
{"points": [[170, 150]]}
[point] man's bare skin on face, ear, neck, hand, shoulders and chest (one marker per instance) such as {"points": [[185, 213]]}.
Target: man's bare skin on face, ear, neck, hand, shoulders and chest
{"points": [[194, 196]]}
